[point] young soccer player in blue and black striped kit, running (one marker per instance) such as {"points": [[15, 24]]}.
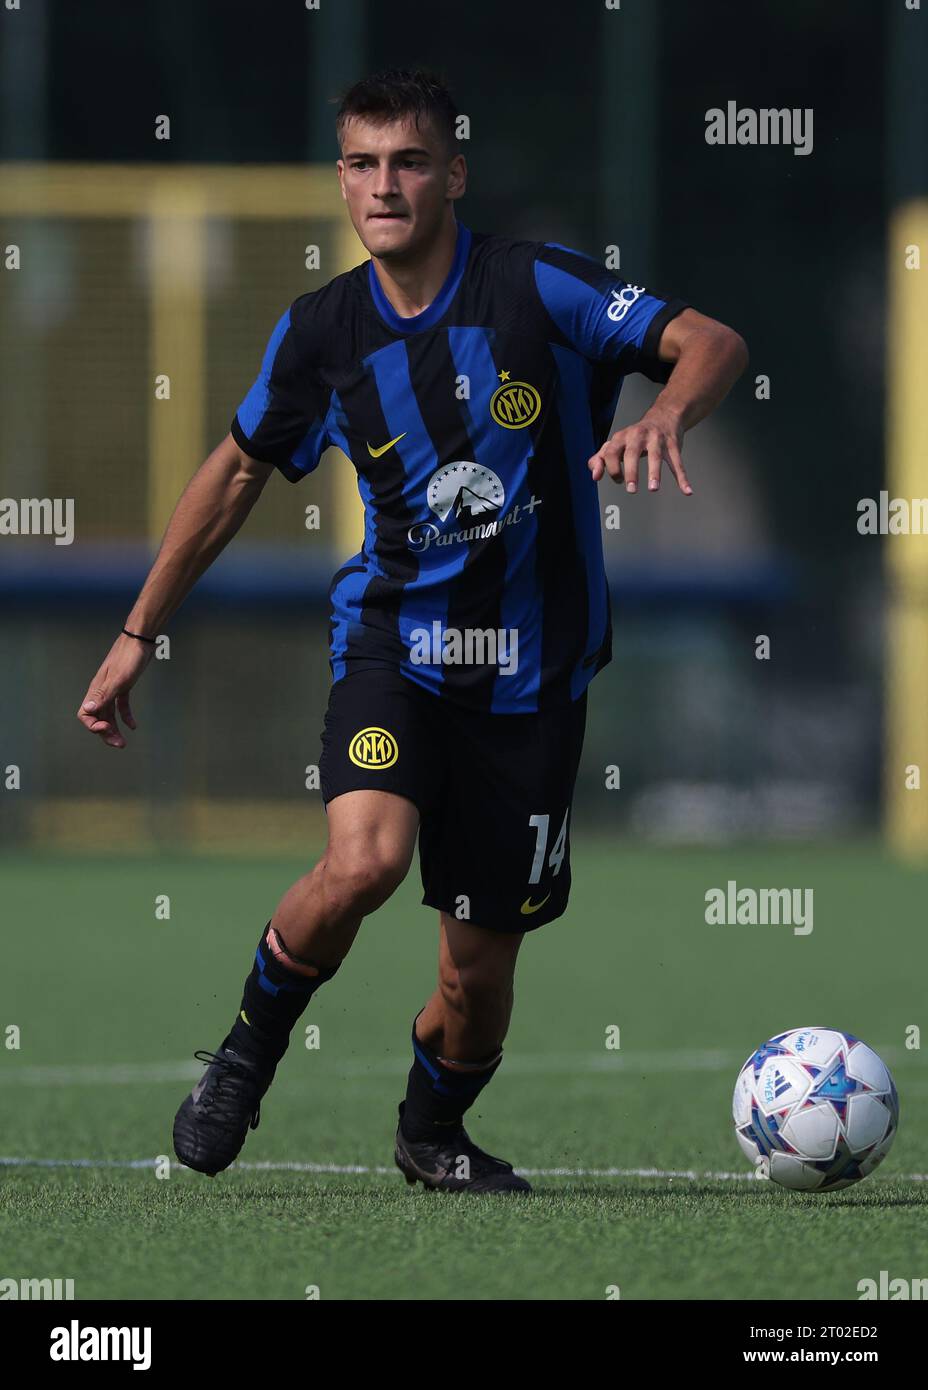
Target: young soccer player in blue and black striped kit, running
{"points": [[473, 382]]}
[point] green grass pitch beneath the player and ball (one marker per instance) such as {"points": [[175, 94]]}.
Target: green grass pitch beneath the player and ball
{"points": [[112, 1004]]}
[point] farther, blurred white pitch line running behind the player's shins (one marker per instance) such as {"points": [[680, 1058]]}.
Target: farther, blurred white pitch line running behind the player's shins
{"points": [[516, 1064]]}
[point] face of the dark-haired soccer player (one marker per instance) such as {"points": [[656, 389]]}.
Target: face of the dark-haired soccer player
{"points": [[398, 183]]}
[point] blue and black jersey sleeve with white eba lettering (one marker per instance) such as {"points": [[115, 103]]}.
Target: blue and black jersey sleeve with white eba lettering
{"points": [[602, 316]]}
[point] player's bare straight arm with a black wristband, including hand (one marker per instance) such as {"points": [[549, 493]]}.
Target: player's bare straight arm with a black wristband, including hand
{"points": [[212, 509]]}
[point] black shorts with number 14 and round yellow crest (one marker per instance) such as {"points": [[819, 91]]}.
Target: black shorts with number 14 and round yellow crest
{"points": [[494, 792]]}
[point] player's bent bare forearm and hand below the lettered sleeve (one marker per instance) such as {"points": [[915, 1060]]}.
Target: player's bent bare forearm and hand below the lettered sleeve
{"points": [[708, 359]]}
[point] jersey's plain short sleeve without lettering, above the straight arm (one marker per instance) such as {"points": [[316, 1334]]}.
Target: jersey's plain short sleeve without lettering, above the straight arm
{"points": [[283, 418]]}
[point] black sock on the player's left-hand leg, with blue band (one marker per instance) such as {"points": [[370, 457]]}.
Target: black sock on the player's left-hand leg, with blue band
{"points": [[273, 1001]]}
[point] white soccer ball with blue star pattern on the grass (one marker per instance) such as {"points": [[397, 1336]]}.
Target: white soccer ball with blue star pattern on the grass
{"points": [[815, 1110]]}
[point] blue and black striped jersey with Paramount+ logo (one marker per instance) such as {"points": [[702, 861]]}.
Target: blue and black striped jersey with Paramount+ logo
{"points": [[470, 427]]}
